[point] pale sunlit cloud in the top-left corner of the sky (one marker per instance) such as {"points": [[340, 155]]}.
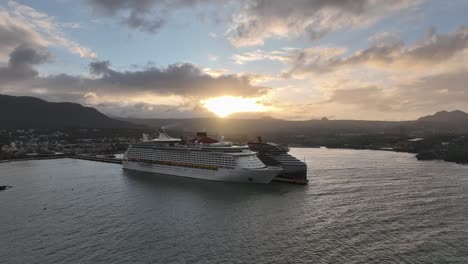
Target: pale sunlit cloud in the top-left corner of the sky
{"points": [[23, 24]]}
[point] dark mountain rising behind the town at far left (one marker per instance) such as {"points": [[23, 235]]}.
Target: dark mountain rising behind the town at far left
{"points": [[31, 112]]}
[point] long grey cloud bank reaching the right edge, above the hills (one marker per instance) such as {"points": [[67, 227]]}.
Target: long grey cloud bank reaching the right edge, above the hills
{"points": [[385, 52]]}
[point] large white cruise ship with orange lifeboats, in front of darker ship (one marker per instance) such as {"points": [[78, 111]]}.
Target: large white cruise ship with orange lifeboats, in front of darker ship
{"points": [[201, 158]]}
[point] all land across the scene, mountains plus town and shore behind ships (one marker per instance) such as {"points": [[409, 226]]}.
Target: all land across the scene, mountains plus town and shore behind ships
{"points": [[73, 128]]}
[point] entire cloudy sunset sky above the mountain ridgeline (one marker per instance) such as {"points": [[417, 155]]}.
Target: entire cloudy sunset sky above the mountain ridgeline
{"points": [[294, 60]]}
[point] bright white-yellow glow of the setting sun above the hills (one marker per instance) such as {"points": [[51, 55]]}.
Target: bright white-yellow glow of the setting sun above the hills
{"points": [[226, 105]]}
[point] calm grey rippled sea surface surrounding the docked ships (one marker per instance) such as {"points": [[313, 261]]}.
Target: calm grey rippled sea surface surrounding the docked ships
{"points": [[360, 207]]}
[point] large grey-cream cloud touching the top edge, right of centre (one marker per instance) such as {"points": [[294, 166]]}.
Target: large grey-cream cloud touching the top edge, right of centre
{"points": [[263, 19]]}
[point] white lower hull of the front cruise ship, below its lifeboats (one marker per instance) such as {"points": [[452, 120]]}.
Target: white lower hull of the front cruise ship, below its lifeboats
{"points": [[260, 175]]}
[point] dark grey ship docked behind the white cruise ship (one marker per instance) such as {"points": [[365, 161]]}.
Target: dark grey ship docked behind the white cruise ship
{"points": [[272, 154]]}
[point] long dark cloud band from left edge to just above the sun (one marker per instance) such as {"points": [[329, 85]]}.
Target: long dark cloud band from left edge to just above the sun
{"points": [[184, 79]]}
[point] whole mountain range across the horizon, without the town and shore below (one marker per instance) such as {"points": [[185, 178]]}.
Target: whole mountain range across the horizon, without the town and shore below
{"points": [[31, 112]]}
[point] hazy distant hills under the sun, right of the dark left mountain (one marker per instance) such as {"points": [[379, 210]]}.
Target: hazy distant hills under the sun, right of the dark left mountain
{"points": [[441, 122]]}
